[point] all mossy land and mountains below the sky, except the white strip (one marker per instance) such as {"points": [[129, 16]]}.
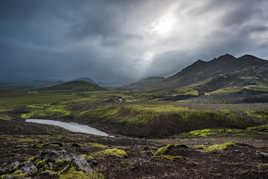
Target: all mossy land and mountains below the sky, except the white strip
{"points": [[208, 117]]}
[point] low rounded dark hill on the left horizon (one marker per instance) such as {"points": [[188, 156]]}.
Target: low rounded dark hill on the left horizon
{"points": [[76, 85]]}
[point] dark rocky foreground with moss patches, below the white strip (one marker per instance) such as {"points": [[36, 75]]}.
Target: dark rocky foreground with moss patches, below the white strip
{"points": [[40, 151]]}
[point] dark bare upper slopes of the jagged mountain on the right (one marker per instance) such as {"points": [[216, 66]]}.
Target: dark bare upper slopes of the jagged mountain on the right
{"points": [[238, 68]]}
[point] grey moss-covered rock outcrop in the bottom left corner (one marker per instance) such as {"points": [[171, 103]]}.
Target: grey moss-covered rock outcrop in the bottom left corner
{"points": [[47, 163]]}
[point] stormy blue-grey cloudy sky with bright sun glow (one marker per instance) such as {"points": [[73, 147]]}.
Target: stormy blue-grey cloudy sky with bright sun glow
{"points": [[120, 41]]}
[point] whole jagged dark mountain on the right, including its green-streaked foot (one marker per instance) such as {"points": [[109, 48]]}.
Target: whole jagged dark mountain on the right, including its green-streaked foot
{"points": [[226, 75]]}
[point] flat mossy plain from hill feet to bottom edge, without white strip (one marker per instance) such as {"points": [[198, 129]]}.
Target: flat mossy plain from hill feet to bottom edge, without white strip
{"points": [[184, 129]]}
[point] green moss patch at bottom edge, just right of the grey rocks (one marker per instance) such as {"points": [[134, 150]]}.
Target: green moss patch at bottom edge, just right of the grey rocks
{"points": [[73, 173]]}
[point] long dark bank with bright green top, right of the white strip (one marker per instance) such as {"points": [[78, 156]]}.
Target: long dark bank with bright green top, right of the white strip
{"points": [[166, 119]]}
